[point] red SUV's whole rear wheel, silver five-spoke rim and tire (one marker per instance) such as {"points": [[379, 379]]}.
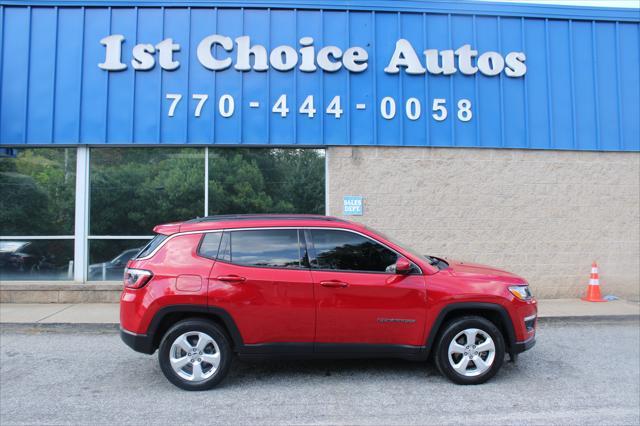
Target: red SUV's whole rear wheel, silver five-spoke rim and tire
{"points": [[195, 354]]}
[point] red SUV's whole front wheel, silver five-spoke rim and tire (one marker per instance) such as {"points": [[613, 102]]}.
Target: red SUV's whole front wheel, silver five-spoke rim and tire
{"points": [[470, 351]]}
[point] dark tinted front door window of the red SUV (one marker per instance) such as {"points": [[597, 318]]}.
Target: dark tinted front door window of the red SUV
{"points": [[346, 251]]}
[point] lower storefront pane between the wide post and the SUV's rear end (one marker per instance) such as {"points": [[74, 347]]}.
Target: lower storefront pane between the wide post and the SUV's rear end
{"points": [[108, 258]]}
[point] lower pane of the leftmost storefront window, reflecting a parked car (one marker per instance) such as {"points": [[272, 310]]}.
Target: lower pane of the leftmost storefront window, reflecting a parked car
{"points": [[36, 259]]}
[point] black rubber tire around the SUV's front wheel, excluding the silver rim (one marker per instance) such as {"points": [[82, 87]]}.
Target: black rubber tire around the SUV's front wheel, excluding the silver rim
{"points": [[453, 329]]}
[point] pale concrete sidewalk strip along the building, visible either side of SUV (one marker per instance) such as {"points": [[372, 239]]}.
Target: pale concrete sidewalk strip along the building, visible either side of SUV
{"points": [[108, 313]]}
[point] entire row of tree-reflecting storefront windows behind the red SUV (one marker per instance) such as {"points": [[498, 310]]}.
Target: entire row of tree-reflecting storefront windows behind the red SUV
{"points": [[130, 191]]}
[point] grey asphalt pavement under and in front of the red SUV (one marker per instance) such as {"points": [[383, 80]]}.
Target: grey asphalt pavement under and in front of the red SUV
{"points": [[583, 372]]}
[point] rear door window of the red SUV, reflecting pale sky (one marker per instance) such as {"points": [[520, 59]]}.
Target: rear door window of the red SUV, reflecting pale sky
{"points": [[277, 248]]}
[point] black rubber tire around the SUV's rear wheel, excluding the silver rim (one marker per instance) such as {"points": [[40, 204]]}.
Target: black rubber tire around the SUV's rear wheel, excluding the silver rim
{"points": [[192, 326]]}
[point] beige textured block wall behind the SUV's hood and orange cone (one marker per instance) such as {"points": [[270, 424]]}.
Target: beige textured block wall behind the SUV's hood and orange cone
{"points": [[545, 215]]}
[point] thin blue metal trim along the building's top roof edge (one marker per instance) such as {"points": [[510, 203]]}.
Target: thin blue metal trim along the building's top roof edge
{"points": [[461, 7]]}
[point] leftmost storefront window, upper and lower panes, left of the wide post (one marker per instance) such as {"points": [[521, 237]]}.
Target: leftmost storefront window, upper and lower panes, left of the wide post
{"points": [[37, 205]]}
